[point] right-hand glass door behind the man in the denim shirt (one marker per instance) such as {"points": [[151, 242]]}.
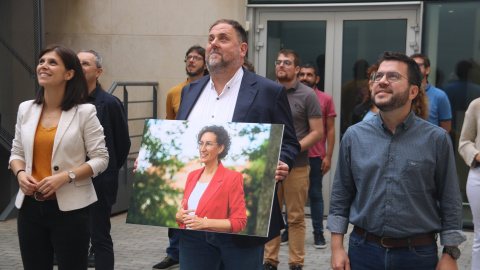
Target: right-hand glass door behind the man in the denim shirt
{"points": [[363, 37]]}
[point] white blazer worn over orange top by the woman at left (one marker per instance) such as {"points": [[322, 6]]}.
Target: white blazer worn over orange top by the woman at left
{"points": [[79, 134]]}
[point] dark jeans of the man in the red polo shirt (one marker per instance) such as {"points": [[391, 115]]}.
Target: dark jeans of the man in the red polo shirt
{"points": [[315, 193]]}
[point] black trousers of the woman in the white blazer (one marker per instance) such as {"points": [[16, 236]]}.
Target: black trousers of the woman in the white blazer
{"points": [[43, 229]]}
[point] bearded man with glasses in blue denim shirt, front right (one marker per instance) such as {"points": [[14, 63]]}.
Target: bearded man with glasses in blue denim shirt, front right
{"points": [[396, 182]]}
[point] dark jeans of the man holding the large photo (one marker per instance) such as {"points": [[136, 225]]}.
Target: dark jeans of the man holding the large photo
{"points": [[207, 250]]}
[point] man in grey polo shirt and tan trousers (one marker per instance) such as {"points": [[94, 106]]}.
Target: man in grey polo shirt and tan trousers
{"points": [[308, 123]]}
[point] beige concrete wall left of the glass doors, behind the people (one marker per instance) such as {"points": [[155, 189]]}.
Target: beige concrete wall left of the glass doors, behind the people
{"points": [[139, 40]]}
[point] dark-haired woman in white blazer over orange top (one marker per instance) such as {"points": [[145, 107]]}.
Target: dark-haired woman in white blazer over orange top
{"points": [[54, 135]]}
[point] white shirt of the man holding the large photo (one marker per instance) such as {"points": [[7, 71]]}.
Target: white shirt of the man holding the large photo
{"points": [[214, 107]]}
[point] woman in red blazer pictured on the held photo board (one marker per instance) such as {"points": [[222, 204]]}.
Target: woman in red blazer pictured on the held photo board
{"points": [[214, 198]]}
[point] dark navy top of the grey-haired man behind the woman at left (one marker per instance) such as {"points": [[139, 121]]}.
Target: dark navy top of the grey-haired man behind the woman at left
{"points": [[111, 114]]}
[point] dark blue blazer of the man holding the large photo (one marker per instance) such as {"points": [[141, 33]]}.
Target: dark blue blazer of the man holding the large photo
{"points": [[260, 100]]}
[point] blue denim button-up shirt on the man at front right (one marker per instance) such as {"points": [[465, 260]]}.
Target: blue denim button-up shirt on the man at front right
{"points": [[397, 185]]}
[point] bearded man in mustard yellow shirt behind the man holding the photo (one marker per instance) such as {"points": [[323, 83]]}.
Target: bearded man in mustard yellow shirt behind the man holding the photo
{"points": [[196, 68]]}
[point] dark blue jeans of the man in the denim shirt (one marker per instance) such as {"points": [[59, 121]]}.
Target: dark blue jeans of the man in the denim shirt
{"points": [[365, 255]]}
